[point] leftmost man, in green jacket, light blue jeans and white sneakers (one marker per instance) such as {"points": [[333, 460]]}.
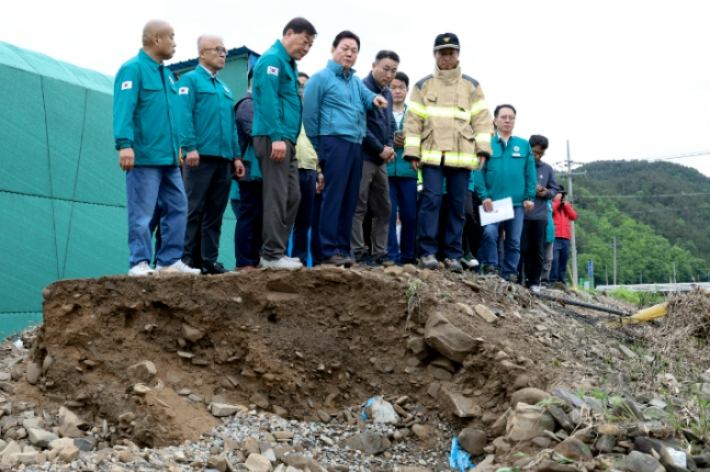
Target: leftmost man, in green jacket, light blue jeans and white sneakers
{"points": [[145, 126]]}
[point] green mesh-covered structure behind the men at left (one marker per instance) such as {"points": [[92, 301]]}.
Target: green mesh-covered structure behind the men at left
{"points": [[62, 193]]}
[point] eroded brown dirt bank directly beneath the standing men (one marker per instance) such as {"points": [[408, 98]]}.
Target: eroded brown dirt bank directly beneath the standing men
{"points": [[295, 343]]}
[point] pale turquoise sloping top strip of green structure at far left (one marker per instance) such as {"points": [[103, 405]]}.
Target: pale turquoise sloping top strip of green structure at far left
{"points": [[41, 64]]}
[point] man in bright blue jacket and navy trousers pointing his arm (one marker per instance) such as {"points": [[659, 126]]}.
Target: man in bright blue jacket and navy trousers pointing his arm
{"points": [[334, 105]]}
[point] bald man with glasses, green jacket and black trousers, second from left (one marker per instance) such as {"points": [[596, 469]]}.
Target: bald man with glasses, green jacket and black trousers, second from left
{"points": [[208, 137]]}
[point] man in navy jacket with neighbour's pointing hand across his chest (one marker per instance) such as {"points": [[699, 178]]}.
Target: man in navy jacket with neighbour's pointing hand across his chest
{"points": [[377, 150]]}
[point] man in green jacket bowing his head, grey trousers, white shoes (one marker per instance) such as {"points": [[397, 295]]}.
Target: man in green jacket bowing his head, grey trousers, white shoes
{"points": [[277, 123]]}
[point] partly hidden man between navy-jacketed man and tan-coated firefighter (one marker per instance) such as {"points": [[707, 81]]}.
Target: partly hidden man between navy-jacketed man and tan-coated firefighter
{"points": [[402, 182]]}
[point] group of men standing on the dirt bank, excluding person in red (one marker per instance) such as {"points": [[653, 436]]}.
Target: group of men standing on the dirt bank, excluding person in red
{"points": [[317, 155]]}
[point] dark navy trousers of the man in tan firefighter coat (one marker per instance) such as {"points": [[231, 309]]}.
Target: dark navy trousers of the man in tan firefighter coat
{"points": [[431, 199]]}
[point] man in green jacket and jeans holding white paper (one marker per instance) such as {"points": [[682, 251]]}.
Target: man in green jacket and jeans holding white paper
{"points": [[509, 173]]}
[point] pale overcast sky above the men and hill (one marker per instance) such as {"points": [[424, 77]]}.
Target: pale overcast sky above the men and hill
{"points": [[619, 79]]}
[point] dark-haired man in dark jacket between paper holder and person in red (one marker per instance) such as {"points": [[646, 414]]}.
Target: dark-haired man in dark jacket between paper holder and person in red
{"points": [[532, 241]]}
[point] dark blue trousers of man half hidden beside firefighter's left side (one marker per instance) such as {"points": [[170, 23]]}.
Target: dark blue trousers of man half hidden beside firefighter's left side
{"points": [[403, 199]]}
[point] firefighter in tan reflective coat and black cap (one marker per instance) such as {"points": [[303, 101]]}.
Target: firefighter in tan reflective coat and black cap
{"points": [[447, 128]]}
